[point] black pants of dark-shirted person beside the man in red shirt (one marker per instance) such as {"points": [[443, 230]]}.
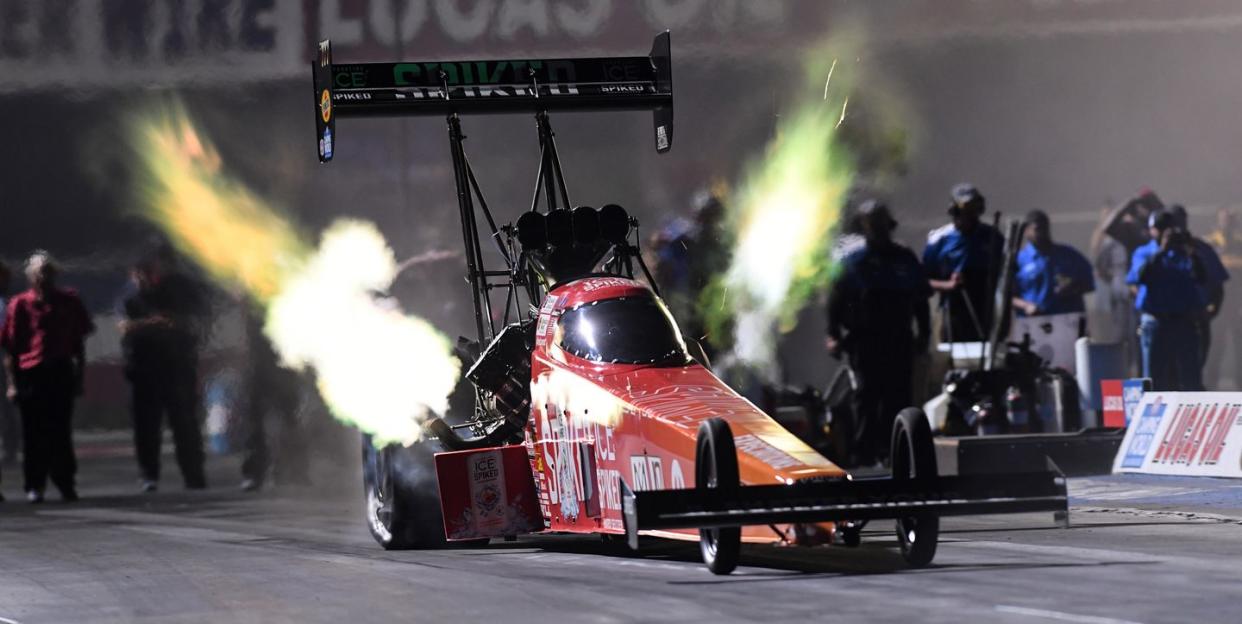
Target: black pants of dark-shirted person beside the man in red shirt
{"points": [[170, 391]]}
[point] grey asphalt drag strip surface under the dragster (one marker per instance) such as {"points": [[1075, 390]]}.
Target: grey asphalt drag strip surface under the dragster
{"points": [[1142, 550]]}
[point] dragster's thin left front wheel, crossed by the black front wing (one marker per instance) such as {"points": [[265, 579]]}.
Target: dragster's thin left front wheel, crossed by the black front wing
{"points": [[716, 468]]}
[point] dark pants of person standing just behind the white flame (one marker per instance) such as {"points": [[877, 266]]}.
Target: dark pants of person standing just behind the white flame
{"points": [[275, 395]]}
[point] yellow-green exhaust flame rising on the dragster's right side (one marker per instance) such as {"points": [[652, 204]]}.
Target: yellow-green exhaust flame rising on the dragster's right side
{"points": [[783, 217]]}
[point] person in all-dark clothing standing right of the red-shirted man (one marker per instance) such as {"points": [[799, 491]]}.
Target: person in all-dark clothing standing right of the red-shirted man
{"points": [[165, 321]]}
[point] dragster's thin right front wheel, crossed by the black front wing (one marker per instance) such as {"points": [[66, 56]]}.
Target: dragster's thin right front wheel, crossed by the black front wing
{"points": [[915, 458]]}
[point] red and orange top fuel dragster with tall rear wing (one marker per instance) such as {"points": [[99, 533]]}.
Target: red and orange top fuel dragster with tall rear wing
{"points": [[591, 416]]}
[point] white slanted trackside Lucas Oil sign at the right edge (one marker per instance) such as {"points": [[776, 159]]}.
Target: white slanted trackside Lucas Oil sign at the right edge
{"points": [[1189, 434]]}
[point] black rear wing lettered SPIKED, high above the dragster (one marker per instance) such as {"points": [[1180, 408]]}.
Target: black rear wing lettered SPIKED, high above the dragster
{"points": [[495, 86]]}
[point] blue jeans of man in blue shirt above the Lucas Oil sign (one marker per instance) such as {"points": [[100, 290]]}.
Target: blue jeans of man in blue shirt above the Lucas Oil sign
{"points": [[1171, 352]]}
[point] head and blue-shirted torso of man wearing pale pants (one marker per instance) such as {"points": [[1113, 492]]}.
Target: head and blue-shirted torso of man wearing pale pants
{"points": [[1051, 279]]}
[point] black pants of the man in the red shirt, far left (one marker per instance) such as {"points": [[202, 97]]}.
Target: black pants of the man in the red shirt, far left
{"points": [[45, 397]]}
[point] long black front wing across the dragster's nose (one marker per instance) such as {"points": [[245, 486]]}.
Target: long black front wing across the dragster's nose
{"points": [[844, 500]]}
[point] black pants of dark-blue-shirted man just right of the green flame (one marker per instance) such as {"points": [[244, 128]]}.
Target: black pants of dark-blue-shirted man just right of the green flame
{"points": [[884, 374]]}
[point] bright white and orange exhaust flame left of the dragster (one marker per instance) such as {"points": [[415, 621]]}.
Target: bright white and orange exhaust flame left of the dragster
{"points": [[377, 369]]}
